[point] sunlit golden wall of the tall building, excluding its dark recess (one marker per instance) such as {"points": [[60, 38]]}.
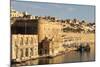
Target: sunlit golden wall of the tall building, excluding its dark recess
{"points": [[51, 30]]}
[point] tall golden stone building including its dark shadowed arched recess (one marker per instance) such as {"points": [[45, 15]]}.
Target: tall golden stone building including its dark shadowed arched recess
{"points": [[50, 40]]}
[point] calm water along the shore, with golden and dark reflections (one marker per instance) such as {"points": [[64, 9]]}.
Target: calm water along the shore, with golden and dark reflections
{"points": [[73, 56]]}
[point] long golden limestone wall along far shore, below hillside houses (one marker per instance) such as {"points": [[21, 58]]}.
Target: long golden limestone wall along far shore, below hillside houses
{"points": [[79, 37]]}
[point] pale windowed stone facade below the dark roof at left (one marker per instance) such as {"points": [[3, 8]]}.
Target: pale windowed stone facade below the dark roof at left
{"points": [[24, 47]]}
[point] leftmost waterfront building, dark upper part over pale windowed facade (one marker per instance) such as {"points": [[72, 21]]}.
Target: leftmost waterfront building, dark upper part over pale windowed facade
{"points": [[24, 40]]}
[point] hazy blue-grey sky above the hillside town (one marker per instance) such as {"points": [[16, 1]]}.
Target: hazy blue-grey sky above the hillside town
{"points": [[61, 11]]}
